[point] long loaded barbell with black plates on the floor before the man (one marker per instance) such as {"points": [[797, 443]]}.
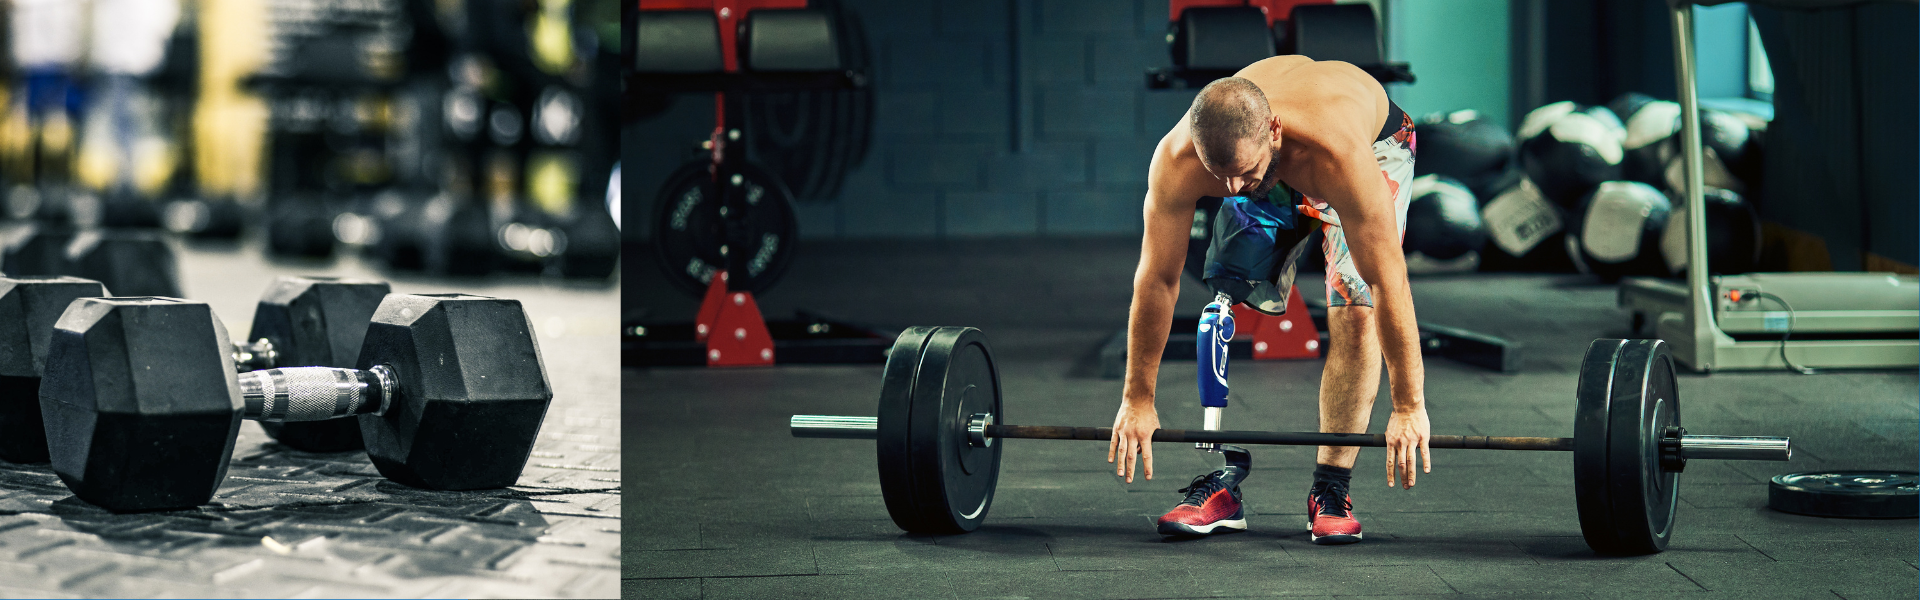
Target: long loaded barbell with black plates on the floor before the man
{"points": [[940, 409]]}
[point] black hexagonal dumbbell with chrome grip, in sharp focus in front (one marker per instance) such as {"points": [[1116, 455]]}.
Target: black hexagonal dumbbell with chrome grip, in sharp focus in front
{"points": [[143, 409]]}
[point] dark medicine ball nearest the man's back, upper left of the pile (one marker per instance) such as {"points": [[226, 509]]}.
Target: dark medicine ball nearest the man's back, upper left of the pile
{"points": [[1466, 149]]}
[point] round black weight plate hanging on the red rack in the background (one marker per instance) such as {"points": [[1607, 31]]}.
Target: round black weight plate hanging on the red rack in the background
{"points": [[688, 230]]}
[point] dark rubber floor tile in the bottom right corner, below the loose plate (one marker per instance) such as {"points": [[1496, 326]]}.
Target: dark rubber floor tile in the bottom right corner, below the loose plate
{"points": [[1804, 580]]}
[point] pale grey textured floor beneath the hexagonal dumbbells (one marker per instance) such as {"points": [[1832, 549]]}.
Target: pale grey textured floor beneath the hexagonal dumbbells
{"points": [[327, 526]]}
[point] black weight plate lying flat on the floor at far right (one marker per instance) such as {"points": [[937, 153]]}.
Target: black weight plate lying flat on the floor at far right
{"points": [[1861, 495]]}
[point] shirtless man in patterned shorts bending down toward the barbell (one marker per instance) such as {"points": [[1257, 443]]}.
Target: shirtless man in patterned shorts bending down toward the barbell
{"points": [[1307, 141]]}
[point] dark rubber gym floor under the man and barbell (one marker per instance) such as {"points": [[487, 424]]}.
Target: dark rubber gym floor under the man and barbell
{"points": [[731, 507]]}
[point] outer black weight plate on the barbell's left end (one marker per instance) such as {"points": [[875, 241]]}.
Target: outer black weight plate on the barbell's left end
{"points": [[892, 443]]}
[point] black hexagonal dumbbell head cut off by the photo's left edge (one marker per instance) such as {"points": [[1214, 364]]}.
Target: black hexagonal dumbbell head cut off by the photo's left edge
{"points": [[28, 312]]}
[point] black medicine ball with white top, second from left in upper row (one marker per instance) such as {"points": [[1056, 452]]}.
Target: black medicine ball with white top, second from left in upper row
{"points": [[1573, 153]]}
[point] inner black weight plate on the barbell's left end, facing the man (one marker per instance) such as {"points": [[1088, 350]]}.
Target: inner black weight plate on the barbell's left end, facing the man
{"points": [[953, 482]]}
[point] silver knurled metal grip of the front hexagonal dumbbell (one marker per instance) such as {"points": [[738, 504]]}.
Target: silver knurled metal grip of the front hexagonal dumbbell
{"points": [[314, 393]]}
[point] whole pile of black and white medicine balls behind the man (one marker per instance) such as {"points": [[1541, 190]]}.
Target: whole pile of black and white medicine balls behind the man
{"points": [[1591, 189]]}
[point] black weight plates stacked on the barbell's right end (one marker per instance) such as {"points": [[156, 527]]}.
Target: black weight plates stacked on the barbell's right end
{"points": [[1627, 399]]}
